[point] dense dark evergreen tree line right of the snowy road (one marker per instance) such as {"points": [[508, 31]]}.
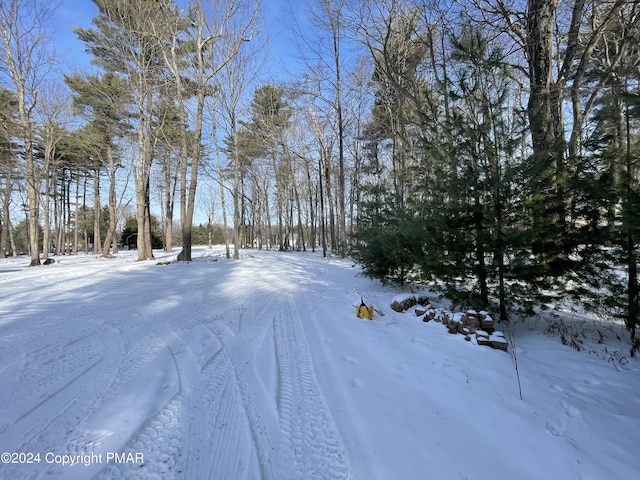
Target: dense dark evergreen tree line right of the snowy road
{"points": [[502, 154]]}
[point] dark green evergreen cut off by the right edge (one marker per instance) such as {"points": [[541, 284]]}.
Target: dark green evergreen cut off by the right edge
{"points": [[608, 238]]}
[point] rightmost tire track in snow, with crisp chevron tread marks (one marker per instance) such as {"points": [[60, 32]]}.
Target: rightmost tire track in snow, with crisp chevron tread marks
{"points": [[309, 428]]}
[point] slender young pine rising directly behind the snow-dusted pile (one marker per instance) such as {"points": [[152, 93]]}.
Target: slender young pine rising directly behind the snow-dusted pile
{"points": [[487, 129]]}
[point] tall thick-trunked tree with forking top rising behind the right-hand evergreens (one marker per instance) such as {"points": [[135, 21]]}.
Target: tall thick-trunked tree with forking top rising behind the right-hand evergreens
{"points": [[556, 55]]}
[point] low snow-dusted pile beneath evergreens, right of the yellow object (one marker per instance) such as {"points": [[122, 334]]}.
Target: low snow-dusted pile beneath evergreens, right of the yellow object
{"points": [[468, 323]]}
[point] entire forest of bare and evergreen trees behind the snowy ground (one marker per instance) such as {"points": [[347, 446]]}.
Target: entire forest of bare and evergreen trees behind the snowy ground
{"points": [[487, 148]]}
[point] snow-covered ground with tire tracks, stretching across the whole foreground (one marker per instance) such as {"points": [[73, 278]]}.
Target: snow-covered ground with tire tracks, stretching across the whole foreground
{"points": [[259, 369]]}
